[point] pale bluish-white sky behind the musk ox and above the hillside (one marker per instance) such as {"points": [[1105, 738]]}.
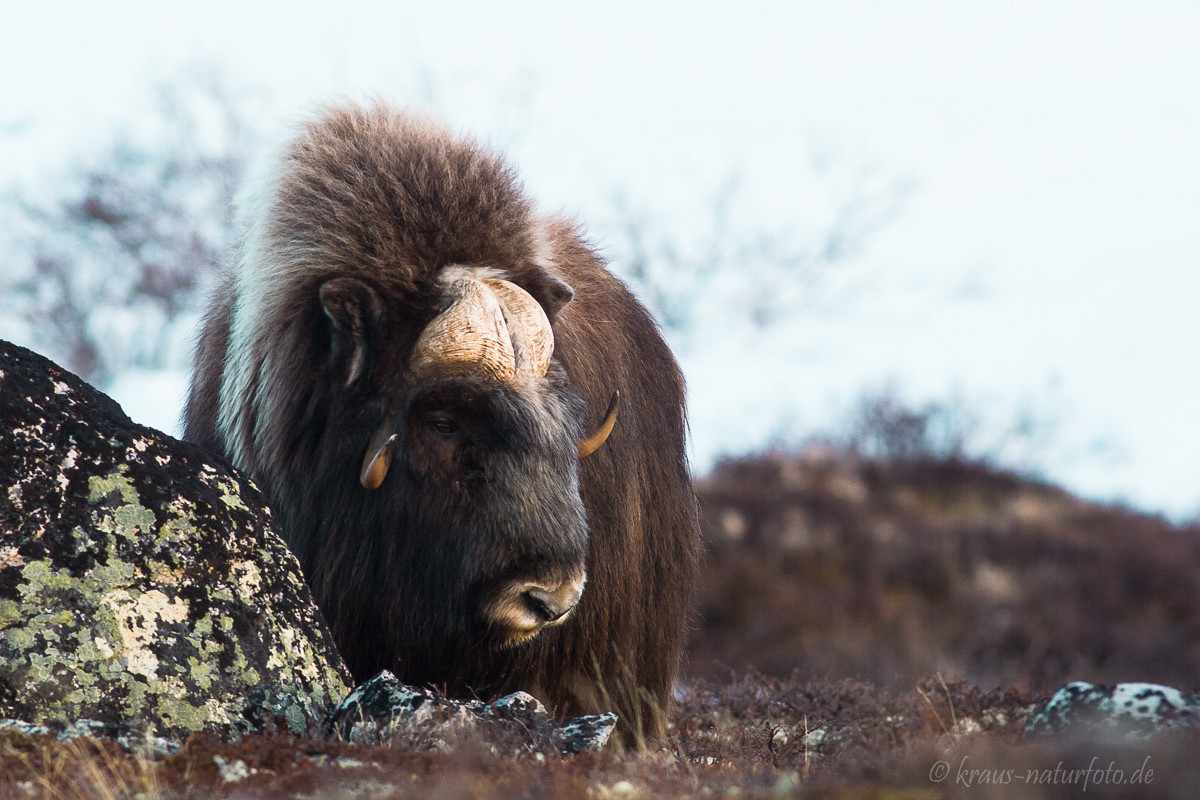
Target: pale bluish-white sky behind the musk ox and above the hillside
{"points": [[1048, 250]]}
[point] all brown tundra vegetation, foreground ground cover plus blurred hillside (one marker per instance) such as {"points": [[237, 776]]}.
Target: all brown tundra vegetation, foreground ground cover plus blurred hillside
{"points": [[866, 630]]}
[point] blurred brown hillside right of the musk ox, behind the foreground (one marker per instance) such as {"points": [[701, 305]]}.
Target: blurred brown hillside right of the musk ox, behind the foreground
{"points": [[838, 567]]}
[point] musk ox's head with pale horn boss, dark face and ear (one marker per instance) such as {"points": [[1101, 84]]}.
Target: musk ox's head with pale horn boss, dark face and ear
{"points": [[477, 450]]}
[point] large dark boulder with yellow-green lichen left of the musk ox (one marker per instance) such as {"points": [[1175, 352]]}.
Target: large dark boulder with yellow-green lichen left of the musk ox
{"points": [[141, 581]]}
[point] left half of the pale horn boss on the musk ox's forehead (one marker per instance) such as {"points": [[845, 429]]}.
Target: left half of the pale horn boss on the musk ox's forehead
{"points": [[470, 336]]}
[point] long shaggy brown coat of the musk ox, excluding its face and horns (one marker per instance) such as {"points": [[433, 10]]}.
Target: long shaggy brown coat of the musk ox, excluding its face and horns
{"points": [[391, 201]]}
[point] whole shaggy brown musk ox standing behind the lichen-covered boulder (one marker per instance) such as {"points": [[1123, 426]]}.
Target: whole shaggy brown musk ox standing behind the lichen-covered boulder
{"points": [[413, 365]]}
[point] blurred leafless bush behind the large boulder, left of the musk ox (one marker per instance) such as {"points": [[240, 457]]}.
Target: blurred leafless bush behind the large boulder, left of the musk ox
{"points": [[105, 263]]}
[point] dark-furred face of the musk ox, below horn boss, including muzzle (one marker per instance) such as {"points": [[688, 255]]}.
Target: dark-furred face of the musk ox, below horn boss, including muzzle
{"points": [[485, 498]]}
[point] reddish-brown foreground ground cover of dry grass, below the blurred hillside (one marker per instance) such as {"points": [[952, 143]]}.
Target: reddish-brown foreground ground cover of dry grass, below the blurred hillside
{"points": [[753, 737]]}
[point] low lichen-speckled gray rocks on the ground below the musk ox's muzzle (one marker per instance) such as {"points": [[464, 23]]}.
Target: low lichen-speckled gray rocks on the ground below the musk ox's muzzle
{"points": [[385, 712]]}
